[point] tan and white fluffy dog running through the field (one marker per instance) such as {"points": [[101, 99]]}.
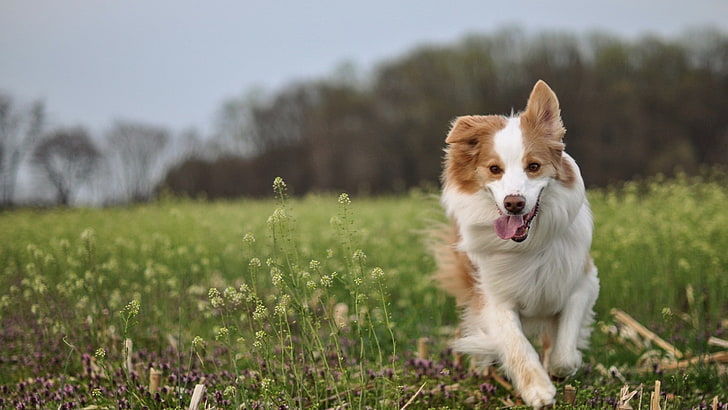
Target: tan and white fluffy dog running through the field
{"points": [[516, 257]]}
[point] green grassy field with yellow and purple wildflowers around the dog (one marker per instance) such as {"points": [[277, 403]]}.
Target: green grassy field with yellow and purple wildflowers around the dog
{"points": [[326, 302]]}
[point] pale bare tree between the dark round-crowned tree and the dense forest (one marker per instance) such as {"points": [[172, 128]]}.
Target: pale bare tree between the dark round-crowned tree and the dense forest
{"points": [[137, 150]]}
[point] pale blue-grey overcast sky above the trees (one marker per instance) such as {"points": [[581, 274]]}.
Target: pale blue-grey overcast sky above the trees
{"points": [[173, 62]]}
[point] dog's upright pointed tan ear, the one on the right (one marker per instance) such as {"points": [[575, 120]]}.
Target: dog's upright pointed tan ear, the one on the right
{"points": [[543, 113]]}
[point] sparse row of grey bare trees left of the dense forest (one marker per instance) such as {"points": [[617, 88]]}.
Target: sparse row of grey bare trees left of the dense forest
{"points": [[124, 165]]}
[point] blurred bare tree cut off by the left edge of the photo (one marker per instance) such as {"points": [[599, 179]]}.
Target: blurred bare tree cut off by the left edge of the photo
{"points": [[19, 132]]}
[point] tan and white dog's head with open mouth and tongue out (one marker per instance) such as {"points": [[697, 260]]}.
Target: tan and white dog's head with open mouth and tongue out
{"points": [[511, 158]]}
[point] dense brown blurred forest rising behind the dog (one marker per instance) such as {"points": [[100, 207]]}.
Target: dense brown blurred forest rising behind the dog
{"points": [[631, 108]]}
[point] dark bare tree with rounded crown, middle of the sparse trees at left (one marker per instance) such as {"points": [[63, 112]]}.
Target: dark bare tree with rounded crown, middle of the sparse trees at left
{"points": [[68, 156]]}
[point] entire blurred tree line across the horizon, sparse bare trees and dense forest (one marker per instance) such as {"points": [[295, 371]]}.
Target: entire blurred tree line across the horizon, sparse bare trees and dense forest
{"points": [[632, 107]]}
